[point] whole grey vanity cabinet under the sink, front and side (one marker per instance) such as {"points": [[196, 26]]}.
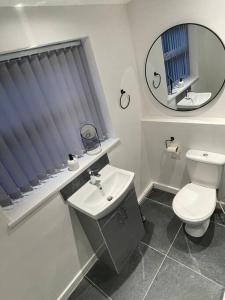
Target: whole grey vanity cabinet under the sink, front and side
{"points": [[116, 236]]}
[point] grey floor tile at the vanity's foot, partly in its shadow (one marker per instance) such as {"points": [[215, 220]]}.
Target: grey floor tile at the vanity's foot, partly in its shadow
{"points": [[132, 283]]}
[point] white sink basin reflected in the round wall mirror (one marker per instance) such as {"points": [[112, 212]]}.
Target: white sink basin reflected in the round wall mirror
{"points": [[194, 100]]}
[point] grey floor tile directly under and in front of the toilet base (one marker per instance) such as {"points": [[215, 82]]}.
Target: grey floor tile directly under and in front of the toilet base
{"points": [[205, 255]]}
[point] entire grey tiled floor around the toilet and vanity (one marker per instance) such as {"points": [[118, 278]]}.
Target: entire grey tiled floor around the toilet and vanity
{"points": [[167, 265]]}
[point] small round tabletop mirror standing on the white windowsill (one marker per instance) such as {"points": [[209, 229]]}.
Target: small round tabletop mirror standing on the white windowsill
{"points": [[90, 139]]}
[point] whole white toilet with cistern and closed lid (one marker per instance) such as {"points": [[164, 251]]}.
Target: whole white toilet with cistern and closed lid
{"points": [[195, 202]]}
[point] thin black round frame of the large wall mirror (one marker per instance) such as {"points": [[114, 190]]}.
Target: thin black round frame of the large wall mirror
{"points": [[146, 60]]}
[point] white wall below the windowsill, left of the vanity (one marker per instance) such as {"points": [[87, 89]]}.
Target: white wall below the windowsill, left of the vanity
{"points": [[42, 255]]}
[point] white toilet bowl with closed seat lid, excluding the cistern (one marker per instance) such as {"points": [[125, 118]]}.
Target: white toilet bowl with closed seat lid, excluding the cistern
{"points": [[194, 205]]}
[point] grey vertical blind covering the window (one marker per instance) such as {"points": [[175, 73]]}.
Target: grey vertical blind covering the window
{"points": [[44, 99]]}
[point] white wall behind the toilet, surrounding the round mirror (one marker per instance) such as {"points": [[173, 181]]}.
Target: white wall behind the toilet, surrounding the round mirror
{"points": [[148, 19]]}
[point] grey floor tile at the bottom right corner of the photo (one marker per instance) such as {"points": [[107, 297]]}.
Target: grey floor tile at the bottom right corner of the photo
{"points": [[176, 282]]}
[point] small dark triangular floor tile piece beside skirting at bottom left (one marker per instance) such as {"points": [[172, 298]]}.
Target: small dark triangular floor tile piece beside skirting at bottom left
{"points": [[85, 291]]}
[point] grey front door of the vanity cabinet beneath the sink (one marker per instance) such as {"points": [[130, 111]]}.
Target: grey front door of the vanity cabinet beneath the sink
{"points": [[123, 229]]}
